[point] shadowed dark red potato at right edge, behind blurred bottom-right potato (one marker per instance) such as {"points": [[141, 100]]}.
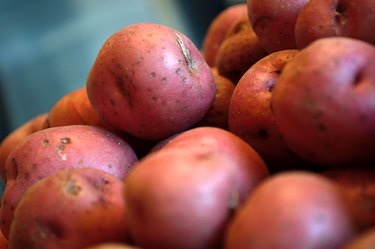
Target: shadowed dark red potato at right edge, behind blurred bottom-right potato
{"points": [[358, 186]]}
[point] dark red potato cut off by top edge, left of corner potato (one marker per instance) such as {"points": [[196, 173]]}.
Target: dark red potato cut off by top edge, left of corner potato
{"points": [[274, 22]]}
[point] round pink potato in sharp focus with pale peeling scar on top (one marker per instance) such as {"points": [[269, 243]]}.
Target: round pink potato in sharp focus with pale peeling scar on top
{"points": [[151, 81]]}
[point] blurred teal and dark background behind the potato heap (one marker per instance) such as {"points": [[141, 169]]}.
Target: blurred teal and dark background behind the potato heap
{"points": [[47, 47]]}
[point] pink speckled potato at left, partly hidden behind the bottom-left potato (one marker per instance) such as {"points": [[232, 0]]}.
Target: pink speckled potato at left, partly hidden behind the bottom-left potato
{"points": [[48, 151]]}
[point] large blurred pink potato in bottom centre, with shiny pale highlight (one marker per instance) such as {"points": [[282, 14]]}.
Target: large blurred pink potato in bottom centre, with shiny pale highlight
{"points": [[203, 176]]}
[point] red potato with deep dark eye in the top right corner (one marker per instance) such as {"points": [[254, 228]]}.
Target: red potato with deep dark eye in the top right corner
{"points": [[327, 18]]}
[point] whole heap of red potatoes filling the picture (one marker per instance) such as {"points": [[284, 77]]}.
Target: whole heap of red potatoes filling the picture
{"points": [[263, 138]]}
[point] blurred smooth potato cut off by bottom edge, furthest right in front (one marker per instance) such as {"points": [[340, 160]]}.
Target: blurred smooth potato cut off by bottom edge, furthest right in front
{"points": [[291, 210]]}
